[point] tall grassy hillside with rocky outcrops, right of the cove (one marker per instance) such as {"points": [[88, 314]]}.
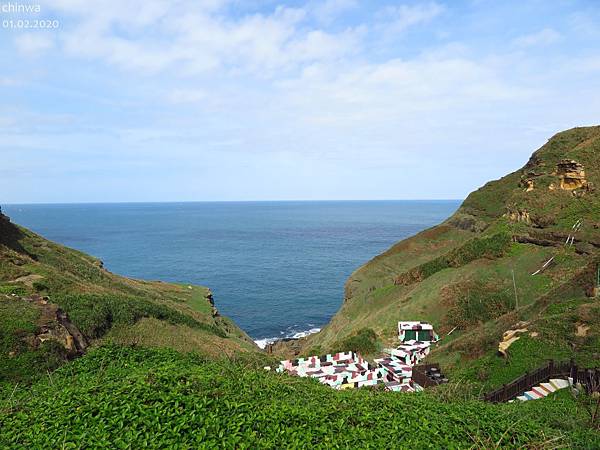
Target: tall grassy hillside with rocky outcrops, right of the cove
{"points": [[476, 294]]}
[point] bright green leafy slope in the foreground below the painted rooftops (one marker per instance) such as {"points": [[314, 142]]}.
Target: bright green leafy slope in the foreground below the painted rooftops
{"points": [[119, 397]]}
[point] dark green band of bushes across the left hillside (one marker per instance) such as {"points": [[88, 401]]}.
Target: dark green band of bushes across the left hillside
{"points": [[95, 314]]}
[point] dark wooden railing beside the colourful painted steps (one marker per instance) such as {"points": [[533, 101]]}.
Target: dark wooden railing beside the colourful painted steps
{"points": [[589, 378]]}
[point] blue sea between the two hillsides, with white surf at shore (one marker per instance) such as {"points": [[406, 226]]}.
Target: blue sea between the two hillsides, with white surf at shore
{"points": [[277, 268]]}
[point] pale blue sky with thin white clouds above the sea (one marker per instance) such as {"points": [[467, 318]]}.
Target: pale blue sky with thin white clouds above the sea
{"points": [[227, 100]]}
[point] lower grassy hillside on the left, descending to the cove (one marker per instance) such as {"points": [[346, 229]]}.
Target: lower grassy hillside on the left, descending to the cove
{"points": [[104, 306]]}
